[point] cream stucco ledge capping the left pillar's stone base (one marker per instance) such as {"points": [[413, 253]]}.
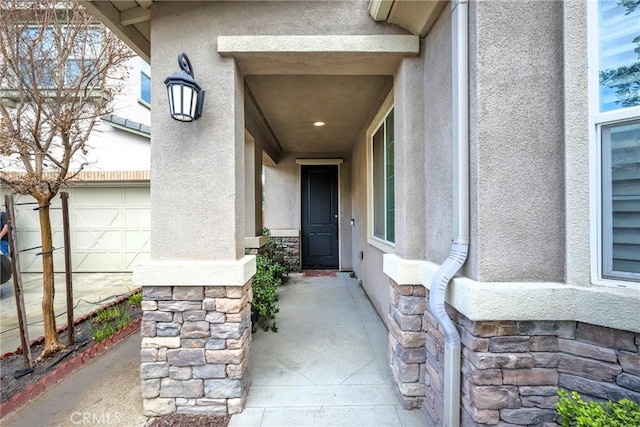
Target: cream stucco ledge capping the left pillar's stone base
{"points": [[195, 272]]}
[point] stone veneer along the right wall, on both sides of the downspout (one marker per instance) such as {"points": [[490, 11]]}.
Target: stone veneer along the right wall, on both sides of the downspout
{"points": [[511, 370]]}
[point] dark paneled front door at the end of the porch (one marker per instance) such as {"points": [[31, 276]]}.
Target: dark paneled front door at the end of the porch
{"points": [[320, 216]]}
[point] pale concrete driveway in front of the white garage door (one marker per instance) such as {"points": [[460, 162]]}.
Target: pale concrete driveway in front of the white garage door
{"points": [[90, 291]]}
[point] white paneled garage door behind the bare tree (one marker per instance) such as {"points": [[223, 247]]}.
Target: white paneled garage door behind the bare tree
{"points": [[109, 226]]}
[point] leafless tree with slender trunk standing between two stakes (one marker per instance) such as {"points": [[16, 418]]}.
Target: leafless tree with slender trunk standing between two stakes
{"points": [[59, 72]]}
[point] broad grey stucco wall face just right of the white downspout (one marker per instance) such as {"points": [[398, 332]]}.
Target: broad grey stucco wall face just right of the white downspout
{"points": [[517, 157]]}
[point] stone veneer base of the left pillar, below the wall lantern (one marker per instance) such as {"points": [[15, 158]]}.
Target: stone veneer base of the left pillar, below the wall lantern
{"points": [[195, 349]]}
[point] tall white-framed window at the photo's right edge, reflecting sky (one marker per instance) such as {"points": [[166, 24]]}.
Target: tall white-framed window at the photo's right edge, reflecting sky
{"points": [[615, 90]]}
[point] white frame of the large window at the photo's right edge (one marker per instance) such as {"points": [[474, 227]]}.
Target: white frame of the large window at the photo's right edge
{"points": [[596, 121]]}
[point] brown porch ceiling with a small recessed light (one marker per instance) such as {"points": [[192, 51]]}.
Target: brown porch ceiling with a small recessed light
{"points": [[291, 103]]}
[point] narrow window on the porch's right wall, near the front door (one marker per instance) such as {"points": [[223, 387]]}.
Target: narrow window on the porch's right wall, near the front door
{"points": [[382, 180]]}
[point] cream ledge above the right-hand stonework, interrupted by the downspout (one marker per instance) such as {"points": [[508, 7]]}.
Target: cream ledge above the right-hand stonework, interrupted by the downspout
{"points": [[599, 305]]}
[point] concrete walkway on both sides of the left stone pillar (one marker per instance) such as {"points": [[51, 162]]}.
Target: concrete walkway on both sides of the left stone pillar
{"points": [[326, 366]]}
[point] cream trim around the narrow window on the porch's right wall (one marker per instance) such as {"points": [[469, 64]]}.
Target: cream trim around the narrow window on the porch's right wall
{"points": [[383, 112]]}
